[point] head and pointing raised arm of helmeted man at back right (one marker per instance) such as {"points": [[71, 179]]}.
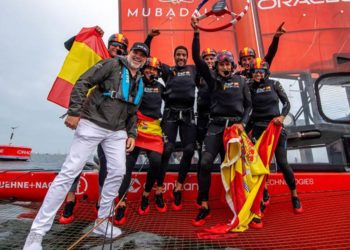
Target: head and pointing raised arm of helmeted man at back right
{"points": [[247, 55]]}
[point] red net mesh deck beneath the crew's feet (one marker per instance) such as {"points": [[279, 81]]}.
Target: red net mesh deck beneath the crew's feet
{"points": [[323, 225]]}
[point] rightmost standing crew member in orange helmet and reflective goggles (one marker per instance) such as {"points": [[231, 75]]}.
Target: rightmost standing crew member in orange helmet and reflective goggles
{"points": [[266, 95]]}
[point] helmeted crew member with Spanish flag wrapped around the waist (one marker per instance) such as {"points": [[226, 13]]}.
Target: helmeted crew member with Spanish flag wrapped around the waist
{"points": [[148, 118]]}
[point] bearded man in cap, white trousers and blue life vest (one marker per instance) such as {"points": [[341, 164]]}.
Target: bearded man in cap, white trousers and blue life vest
{"points": [[99, 118]]}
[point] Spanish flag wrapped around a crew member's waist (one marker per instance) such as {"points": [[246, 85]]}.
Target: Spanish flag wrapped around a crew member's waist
{"points": [[149, 133]]}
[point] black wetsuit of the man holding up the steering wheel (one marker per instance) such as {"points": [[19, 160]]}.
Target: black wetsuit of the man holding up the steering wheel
{"points": [[230, 104]]}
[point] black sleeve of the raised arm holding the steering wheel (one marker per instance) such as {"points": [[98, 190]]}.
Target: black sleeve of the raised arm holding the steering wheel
{"points": [[202, 67]]}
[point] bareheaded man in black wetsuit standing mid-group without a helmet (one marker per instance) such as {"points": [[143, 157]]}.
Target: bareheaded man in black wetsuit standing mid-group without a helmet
{"points": [[180, 84]]}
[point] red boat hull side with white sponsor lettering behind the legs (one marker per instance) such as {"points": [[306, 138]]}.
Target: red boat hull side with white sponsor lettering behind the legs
{"points": [[32, 185]]}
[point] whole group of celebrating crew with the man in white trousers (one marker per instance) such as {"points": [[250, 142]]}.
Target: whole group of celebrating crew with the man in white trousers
{"points": [[121, 113]]}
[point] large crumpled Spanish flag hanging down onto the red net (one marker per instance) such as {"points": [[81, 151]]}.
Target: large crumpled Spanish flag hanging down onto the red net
{"points": [[244, 171]]}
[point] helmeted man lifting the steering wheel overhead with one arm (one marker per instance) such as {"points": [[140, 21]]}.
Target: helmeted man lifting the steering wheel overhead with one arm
{"points": [[230, 105]]}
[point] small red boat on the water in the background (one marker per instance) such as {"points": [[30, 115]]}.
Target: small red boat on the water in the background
{"points": [[14, 153]]}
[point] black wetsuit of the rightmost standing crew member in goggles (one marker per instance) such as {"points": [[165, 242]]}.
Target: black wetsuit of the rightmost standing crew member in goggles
{"points": [[266, 96]]}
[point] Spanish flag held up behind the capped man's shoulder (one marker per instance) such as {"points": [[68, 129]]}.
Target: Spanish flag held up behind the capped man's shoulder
{"points": [[88, 48]]}
